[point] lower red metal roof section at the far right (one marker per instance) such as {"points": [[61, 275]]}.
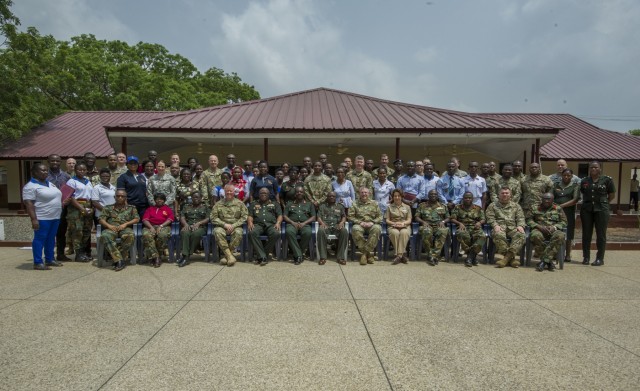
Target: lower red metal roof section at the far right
{"points": [[579, 140]]}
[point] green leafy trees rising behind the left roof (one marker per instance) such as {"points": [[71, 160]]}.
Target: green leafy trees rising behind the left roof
{"points": [[42, 77]]}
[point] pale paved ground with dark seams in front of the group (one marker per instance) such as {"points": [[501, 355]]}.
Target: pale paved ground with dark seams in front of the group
{"points": [[307, 327]]}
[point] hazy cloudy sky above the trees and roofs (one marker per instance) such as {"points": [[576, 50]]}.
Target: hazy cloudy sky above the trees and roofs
{"points": [[560, 56]]}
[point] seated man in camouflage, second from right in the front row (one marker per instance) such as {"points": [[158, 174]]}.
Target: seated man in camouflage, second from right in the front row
{"points": [[507, 221]]}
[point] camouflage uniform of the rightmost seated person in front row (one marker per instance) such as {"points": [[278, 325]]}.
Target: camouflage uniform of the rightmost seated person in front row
{"points": [[553, 216]]}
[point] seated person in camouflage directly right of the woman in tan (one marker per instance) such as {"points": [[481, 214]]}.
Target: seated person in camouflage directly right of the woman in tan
{"points": [[432, 216]]}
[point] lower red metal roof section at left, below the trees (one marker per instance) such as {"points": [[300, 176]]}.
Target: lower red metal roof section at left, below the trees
{"points": [[72, 134]]}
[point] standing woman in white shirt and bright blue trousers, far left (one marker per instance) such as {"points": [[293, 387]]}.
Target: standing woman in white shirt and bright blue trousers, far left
{"points": [[43, 201]]}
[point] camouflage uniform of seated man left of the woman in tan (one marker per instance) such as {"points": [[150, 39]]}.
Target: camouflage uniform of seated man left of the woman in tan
{"points": [[368, 212]]}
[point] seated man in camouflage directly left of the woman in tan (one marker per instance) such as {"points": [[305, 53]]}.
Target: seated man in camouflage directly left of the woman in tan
{"points": [[366, 217]]}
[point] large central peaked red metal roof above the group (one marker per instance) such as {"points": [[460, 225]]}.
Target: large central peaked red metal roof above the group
{"points": [[326, 109]]}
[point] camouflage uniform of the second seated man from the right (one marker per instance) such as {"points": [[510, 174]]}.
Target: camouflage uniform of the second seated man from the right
{"points": [[508, 217]]}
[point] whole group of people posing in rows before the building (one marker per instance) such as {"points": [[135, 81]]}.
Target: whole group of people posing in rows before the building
{"points": [[65, 205]]}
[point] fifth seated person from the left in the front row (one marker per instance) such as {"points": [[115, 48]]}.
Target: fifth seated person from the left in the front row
{"points": [[264, 218]]}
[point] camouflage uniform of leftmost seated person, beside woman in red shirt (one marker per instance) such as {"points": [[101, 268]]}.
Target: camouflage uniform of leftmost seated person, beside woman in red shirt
{"points": [[114, 216]]}
